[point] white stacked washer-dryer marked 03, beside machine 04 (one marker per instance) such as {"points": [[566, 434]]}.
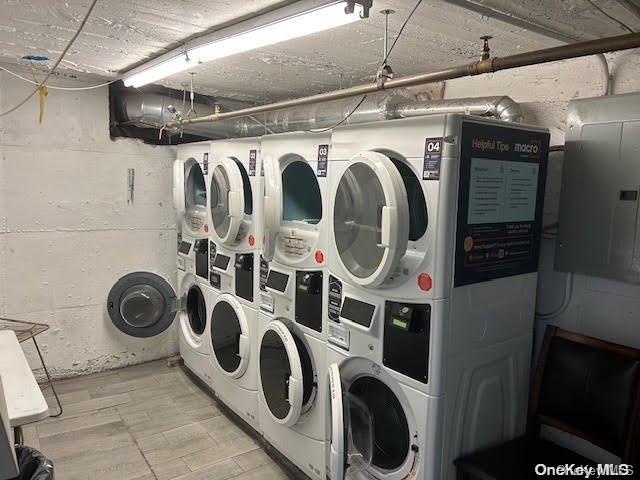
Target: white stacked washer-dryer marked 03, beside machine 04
{"points": [[292, 319]]}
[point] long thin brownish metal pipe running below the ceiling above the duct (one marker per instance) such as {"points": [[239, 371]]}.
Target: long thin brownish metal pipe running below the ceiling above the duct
{"points": [[575, 50]]}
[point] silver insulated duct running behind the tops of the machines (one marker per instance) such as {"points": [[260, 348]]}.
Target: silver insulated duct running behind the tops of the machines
{"points": [[153, 111]]}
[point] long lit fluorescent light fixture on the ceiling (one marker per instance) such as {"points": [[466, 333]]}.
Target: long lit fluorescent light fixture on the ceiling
{"points": [[295, 26]]}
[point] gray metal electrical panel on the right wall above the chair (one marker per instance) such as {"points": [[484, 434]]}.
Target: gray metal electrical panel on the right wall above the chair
{"points": [[599, 229]]}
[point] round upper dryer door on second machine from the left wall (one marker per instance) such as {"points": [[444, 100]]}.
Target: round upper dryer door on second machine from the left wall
{"points": [[226, 197]]}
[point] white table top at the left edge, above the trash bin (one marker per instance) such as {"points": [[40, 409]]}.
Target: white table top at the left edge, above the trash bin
{"points": [[25, 402]]}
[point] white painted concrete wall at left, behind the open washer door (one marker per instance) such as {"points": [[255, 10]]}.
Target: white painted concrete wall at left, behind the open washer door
{"points": [[67, 232]]}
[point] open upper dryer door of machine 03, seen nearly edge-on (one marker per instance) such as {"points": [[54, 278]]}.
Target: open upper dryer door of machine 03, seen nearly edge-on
{"points": [[272, 205]]}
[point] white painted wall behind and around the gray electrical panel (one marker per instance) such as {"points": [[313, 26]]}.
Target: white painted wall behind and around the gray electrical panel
{"points": [[599, 307]]}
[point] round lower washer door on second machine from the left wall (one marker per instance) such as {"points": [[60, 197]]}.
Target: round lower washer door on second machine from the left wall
{"points": [[230, 336]]}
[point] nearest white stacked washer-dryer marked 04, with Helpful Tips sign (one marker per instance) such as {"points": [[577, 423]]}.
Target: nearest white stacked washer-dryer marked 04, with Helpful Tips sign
{"points": [[434, 240]]}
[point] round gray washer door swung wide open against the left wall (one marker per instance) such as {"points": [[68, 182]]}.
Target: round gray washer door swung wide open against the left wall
{"points": [[142, 304]]}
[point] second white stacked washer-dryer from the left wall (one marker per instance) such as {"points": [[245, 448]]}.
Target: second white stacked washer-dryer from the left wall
{"points": [[235, 199]]}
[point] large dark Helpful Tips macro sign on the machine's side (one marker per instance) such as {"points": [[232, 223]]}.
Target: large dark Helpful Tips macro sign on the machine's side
{"points": [[501, 193]]}
